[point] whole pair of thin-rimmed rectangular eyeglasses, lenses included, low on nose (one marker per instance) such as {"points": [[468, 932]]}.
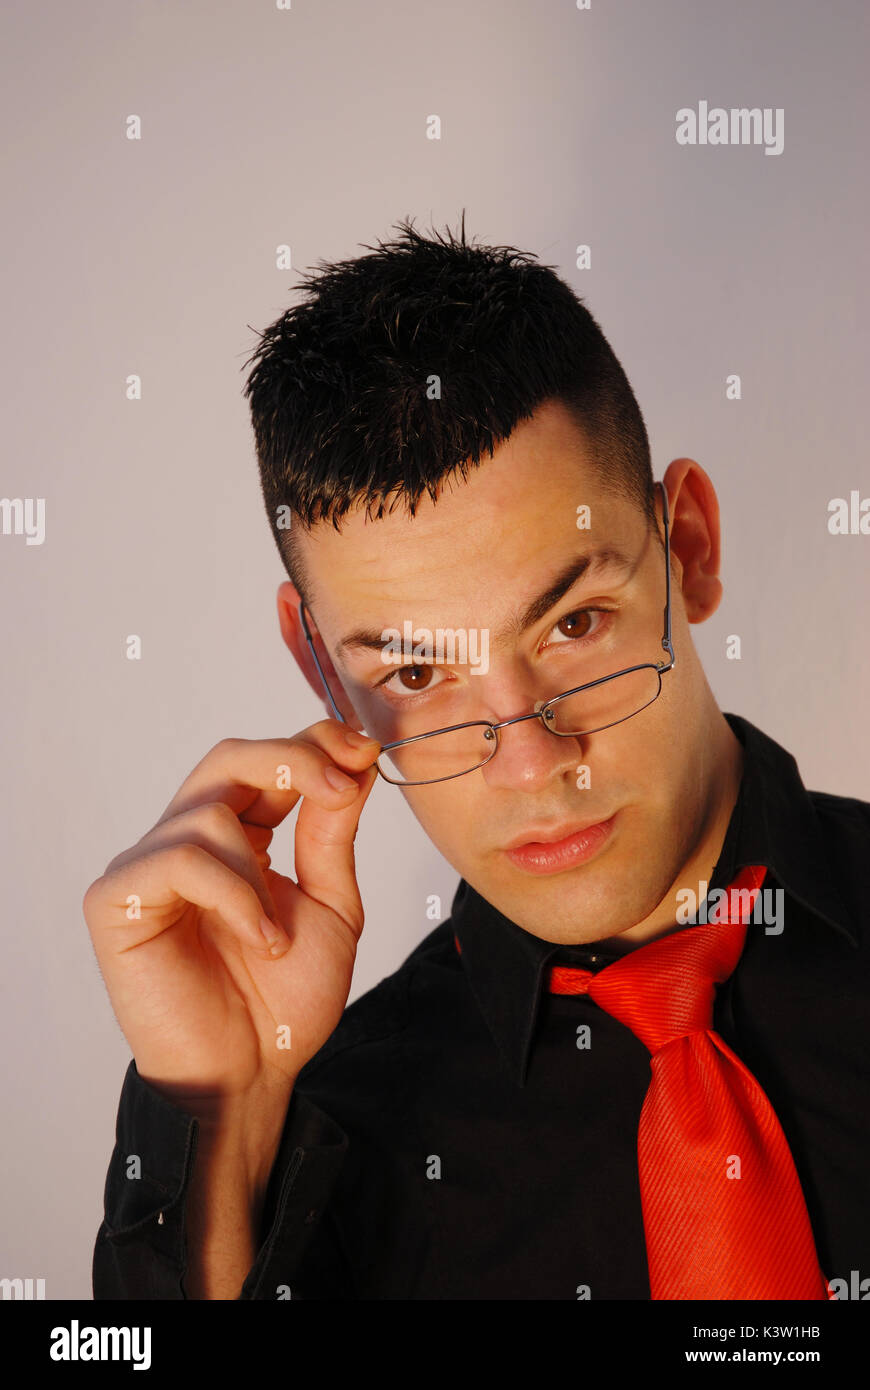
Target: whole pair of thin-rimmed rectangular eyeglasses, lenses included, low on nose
{"points": [[586, 710]]}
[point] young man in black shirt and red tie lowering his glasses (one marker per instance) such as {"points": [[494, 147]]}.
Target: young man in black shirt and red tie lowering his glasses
{"points": [[630, 1065]]}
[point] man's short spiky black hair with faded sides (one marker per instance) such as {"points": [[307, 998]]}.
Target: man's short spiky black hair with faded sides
{"points": [[341, 394]]}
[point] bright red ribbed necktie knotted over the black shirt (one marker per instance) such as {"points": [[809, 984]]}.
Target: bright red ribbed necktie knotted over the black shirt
{"points": [[709, 1232]]}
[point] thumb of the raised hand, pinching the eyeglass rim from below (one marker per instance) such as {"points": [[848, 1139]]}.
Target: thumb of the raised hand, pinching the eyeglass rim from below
{"points": [[325, 851]]}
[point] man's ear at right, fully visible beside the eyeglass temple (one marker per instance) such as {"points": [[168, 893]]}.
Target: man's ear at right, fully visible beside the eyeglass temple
{"points": [[696, 537]]}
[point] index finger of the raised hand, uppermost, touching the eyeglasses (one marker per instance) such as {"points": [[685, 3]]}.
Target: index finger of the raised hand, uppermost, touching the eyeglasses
{"points": [[262, 780]]}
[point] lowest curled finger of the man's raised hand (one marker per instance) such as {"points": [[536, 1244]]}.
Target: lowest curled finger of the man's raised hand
{"points": [[169, 882]]}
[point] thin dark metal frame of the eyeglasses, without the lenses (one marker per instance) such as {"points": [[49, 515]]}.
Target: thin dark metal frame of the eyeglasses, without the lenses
{"points": [[545, 712]]}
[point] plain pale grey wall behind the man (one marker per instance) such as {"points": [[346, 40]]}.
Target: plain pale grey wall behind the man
{"points": [[308, 127]]}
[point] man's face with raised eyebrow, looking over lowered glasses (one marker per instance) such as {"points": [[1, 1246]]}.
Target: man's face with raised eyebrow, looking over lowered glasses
{"points": [[479, 561]]}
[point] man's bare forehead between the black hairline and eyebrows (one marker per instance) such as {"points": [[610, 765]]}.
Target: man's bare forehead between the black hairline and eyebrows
{"points": [[483, 548]]}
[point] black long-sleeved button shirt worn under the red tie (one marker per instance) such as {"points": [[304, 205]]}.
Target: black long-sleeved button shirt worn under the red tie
{"points": [[452, 1140]]}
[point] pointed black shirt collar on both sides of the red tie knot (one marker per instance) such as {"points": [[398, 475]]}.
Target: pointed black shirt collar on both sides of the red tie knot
{"points": [[773, 824]]}
